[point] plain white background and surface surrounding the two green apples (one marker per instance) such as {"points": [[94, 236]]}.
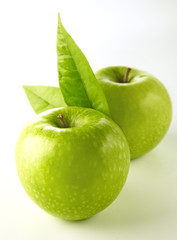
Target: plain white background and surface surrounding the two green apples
{"points": [[141, 34]]}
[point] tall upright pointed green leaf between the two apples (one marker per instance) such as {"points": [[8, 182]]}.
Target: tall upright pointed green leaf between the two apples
{"points": [[76, 78]]}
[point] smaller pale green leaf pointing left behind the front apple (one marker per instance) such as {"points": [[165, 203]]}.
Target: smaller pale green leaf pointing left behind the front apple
{"points": [[42, 98]]}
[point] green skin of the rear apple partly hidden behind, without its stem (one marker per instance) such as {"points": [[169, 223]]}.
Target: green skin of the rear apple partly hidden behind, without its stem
{"points": [[141, 107]]}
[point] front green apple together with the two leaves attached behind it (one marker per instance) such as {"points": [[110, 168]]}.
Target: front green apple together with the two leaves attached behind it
{"points": [[73, 159]]}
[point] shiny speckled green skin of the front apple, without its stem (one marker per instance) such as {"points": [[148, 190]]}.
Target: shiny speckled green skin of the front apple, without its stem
{"points": [[75, 172]]}
